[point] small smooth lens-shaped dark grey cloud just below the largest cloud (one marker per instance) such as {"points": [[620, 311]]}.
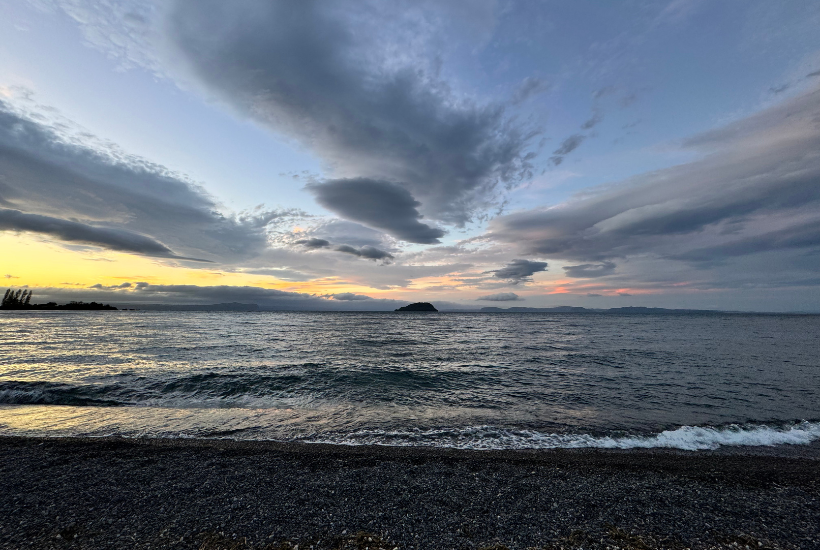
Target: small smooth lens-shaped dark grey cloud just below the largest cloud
{"points": [[378, 204]]}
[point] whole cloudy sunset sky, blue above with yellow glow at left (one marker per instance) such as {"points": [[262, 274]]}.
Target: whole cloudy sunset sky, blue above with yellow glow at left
{"points": [[361, 155]]}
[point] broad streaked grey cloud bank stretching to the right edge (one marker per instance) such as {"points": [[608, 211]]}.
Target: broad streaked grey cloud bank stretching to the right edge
{"points": [[754, 190]]}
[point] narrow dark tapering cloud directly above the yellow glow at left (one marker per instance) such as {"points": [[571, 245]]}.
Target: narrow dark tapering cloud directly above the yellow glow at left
{"points": [[70, 231]]}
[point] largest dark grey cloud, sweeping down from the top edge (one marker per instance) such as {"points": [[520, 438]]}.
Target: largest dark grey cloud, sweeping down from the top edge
{"points": [[317, 72]]}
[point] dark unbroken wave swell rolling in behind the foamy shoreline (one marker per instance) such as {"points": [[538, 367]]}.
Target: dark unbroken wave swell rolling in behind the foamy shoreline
{"points": [[294, 383]]}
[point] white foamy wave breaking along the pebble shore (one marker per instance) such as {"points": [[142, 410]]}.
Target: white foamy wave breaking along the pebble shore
{"points": [[688, 438]]}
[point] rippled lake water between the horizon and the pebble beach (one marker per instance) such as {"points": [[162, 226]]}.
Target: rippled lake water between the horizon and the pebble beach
{"points": [[465, 380]]}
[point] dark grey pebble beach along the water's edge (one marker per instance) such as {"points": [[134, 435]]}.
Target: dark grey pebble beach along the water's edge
{"points": [[118, 493]]}
